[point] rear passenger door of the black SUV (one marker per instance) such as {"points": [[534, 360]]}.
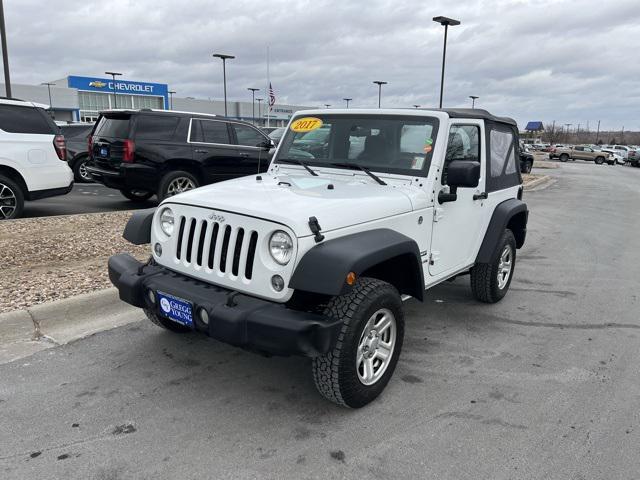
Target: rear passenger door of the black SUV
{"points": [[213, 149]]}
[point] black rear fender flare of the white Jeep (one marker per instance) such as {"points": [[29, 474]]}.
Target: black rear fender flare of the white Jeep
{"points": [[504, 213]]}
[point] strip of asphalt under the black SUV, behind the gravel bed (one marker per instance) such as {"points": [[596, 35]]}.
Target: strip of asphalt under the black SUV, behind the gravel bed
{"points": [[84, 198]]}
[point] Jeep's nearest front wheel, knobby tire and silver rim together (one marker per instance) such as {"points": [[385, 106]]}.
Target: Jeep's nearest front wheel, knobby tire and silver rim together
{"points": [[362, 362]]}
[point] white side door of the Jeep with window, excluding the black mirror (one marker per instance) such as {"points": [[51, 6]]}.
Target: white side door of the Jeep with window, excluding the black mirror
{"points": [[458, 226]]}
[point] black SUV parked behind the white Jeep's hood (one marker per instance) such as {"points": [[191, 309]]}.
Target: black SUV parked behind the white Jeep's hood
{"points": [[147, 152]]}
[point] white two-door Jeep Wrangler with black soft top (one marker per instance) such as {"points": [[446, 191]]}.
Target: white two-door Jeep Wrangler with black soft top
{"points": [[315, 256]]}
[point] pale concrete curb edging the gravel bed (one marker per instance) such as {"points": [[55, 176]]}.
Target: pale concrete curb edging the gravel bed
{"points": [[24, 332]]}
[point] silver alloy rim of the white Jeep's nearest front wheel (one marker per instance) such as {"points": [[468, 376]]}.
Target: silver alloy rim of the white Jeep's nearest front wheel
{"points": [[376, 346]]}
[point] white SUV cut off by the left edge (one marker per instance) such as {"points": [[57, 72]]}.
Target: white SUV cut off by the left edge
{"points": [[32, 157]]}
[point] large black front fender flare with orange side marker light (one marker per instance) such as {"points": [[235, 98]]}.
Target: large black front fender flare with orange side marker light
{"points": [[324, 268]]}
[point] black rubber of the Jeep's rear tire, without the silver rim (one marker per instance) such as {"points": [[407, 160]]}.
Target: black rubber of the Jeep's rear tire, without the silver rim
{"points": [[484, 276]]}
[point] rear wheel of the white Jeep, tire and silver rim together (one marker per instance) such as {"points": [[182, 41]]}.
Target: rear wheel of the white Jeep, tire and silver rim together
{"points": [[490, 281]]}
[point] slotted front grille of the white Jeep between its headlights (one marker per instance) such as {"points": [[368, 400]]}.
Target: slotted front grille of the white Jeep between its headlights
{"points": [[219, 247]]}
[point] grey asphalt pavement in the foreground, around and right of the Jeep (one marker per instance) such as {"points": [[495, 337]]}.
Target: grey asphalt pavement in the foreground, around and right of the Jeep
{"points": [[541, 385]]}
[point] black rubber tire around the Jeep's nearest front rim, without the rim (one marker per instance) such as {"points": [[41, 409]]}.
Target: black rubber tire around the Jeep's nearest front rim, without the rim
{"points": [[335, 373]]}
